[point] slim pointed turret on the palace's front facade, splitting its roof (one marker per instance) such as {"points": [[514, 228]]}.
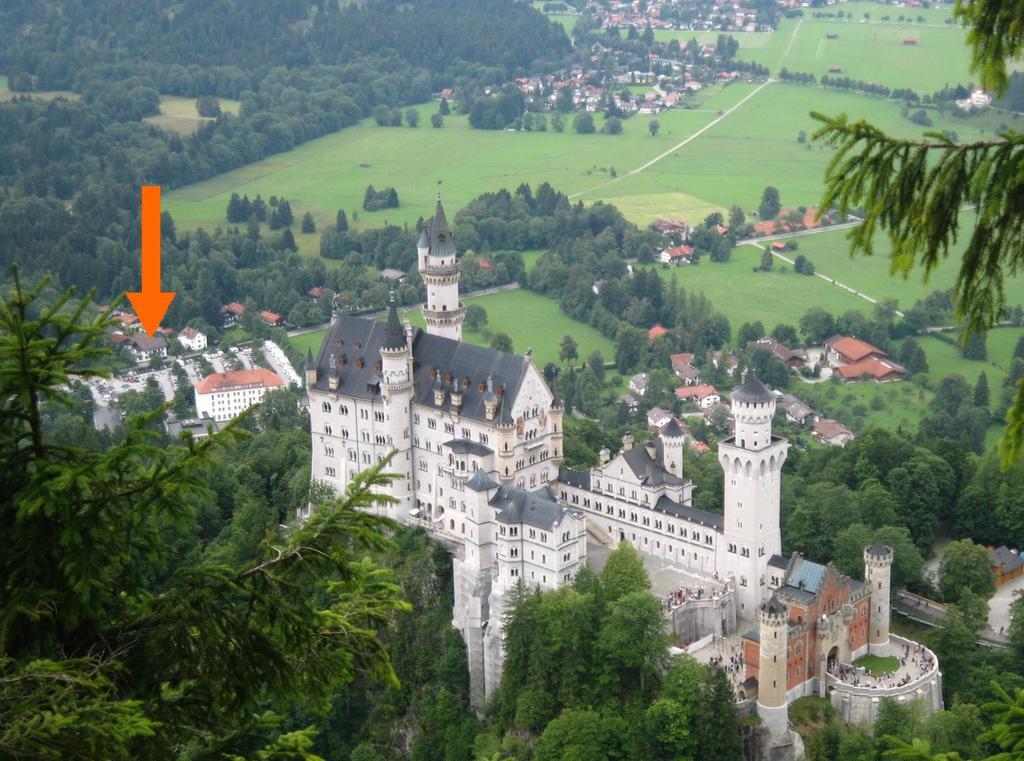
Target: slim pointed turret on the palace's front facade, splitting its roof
{"points": [[397, 392]]}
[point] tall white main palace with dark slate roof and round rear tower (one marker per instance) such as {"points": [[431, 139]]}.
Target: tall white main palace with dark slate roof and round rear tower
{"points": [[458, 417]]}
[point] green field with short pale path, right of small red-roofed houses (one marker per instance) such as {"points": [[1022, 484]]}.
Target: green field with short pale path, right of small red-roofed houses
{"points": [[745, 297]]}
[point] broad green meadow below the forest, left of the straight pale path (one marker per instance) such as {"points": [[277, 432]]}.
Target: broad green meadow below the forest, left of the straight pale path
{"points": [[333, 172]]}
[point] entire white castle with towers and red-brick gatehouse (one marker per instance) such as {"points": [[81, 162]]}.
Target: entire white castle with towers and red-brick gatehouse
{"points": [[478, 442]]}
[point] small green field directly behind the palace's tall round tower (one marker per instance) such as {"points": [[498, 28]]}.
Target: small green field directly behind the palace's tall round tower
{"points": [[527, 317]]}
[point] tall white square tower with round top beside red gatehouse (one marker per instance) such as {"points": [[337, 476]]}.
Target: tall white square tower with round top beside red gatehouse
{"points": [[752, 461]]}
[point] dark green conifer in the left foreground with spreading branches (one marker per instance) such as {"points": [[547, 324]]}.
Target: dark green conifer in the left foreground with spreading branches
{"points": [[109, 619]]}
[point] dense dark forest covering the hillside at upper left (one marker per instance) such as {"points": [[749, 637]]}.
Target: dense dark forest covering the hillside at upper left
{"points": [[71, 173]]}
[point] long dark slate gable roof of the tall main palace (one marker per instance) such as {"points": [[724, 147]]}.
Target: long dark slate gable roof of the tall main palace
{"points": [[360, 337]]}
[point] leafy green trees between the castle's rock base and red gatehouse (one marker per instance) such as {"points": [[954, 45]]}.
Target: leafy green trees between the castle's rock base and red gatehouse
{"points": [[587, 675]]}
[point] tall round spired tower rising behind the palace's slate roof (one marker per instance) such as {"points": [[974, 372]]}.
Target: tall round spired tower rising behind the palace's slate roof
{"points": [[440, 269]]}
